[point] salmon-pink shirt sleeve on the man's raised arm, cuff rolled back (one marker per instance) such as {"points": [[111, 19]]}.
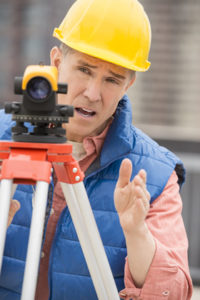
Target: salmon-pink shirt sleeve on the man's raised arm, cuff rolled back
{"points": [[168, 276]]}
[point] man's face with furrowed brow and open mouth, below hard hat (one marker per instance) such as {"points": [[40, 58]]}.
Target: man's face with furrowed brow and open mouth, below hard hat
{"points": [[94, 89]]}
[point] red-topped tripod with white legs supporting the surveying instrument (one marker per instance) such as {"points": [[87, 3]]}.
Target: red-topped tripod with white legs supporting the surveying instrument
{"points": [[33, 163]]}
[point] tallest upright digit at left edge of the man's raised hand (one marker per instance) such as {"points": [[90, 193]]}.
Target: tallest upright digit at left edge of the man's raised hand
{"points": [[124, 173]]}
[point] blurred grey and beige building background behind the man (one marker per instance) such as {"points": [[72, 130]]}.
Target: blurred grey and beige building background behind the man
{"points": [[165, 99]]}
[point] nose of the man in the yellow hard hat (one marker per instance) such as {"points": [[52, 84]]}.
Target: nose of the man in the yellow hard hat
{"points": [[93, 90]]}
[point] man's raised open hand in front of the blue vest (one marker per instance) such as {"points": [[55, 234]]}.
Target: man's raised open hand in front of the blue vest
{"points": [[131, 198]]}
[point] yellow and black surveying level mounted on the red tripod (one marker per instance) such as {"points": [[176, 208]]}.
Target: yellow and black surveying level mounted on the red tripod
{"points": [[39, 107]]}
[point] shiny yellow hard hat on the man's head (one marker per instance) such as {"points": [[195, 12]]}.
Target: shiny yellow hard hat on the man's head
{"points": [[117, 31]]}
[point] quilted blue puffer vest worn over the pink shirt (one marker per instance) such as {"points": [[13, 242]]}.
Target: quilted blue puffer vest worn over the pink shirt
{"points": [[69, 278]]}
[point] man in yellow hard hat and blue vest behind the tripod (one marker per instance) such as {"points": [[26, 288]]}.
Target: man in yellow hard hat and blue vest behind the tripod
{"points": [[132, 183]]}
